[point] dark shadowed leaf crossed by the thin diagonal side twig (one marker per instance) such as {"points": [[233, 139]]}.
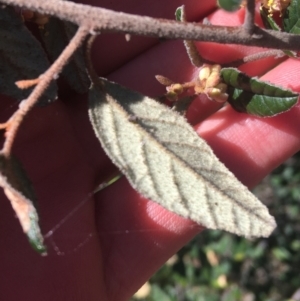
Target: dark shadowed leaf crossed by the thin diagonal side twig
{"points": [[56, 35]]}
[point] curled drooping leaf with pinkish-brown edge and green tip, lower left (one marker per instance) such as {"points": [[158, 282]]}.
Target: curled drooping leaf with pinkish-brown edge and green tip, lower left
{"points": [[18, 190]]}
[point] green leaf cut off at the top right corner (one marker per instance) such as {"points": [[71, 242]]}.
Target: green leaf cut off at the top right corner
{"points": [[291, 18]]}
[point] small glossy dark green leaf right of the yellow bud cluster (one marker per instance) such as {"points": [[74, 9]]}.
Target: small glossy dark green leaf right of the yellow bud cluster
{"points": [[252, 96]]}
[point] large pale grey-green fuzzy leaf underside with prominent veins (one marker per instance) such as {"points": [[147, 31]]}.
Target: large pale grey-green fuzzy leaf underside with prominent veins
{"points": [[166, 161]]}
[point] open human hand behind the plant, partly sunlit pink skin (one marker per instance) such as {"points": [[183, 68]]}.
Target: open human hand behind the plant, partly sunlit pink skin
{"points": [[117, 239]]}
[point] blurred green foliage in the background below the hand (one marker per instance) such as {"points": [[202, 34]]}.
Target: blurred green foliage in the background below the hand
{"points": [[218, 266]]}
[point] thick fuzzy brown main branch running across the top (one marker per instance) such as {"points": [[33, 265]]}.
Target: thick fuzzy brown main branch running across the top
{"points": [[107, 20]]}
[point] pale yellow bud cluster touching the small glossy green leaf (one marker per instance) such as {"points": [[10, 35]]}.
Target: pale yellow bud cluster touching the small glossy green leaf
{"points": [[209, 83]]}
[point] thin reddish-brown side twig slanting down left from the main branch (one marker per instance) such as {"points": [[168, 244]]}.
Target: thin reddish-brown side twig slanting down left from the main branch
{"points": [[45, 79]]}
